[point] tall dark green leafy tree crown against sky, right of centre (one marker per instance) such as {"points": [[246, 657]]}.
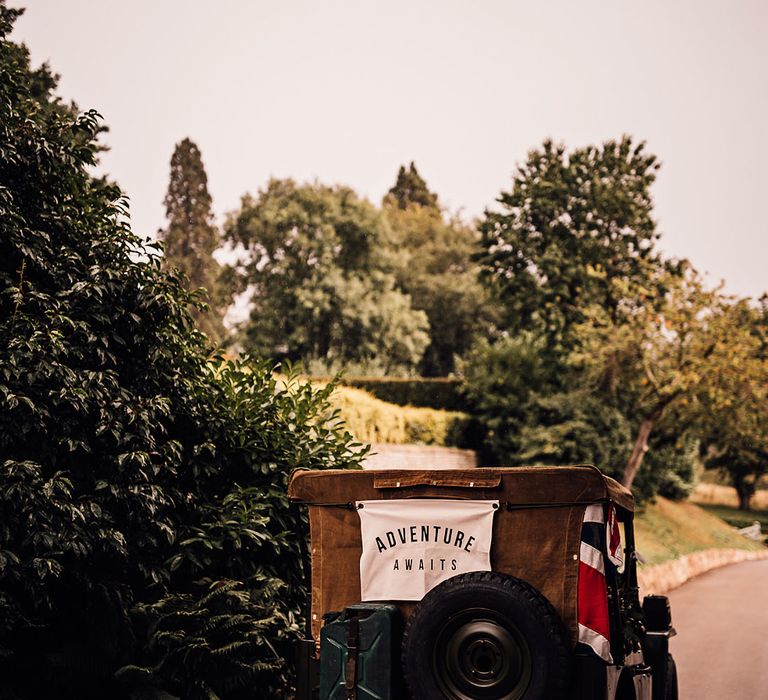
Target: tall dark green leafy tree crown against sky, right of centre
{"points": [[572, 224]]}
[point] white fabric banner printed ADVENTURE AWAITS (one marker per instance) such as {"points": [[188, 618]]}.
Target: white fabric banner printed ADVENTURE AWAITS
{"points": [[411, 545]]}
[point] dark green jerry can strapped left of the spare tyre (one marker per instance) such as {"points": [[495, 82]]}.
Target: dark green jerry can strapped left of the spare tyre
{"points": [[360, 653]]}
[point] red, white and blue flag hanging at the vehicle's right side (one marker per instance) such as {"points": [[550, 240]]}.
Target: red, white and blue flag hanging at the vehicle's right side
{"points": [[599, 535]]}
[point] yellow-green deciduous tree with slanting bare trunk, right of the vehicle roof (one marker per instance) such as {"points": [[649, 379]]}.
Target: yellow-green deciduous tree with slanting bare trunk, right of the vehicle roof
{"points": [[672, 348]]}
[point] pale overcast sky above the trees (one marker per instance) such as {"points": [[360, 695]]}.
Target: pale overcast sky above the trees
{"points": [[346, 91]]}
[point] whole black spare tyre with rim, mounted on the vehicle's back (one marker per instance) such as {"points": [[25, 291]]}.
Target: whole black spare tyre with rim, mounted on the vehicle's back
{"points": [[486, 636]]}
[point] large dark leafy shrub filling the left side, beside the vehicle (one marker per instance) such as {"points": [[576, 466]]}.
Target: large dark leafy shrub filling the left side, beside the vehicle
{"points": [[143, 519]]}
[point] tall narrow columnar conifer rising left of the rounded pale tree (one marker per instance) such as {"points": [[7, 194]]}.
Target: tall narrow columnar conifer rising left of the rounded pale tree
{"points": [[191, 236]]}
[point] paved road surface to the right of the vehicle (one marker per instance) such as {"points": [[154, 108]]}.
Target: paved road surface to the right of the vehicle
{"points": [[721, 647]]}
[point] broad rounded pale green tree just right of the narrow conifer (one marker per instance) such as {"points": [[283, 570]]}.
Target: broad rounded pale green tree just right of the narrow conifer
{"points": [[317, 262]]}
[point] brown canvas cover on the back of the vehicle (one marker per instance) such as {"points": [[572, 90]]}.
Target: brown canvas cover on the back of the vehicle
{"points": [[536, 533]]}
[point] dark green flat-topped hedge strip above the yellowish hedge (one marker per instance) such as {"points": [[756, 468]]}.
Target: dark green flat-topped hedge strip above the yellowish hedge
{"points": [[442, 393]]}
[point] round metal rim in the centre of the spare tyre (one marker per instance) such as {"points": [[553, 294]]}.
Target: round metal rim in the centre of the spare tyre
{"points": [[480, 655]]}
